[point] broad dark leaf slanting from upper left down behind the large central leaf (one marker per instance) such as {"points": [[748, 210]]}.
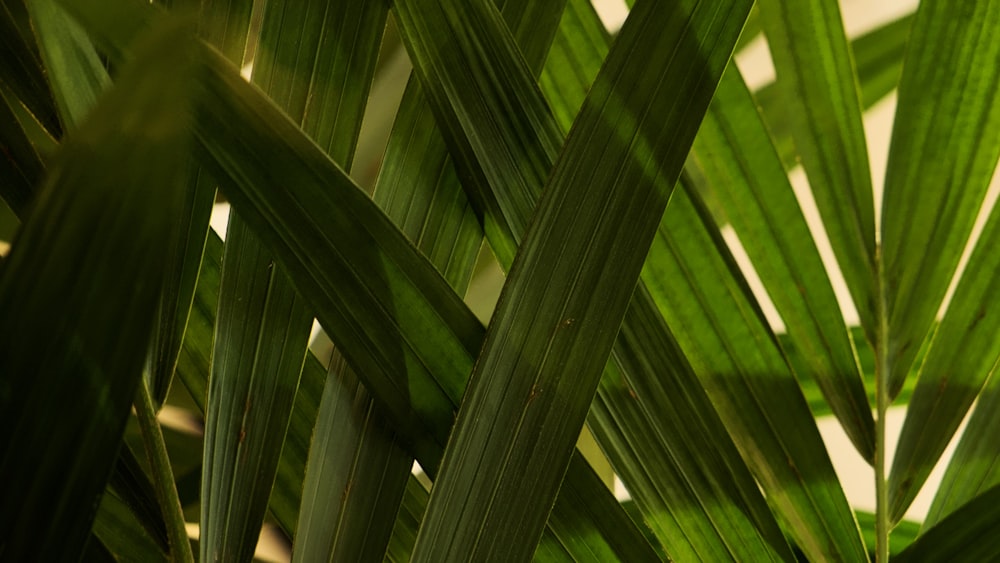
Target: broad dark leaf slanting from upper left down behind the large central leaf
{"points": [[442, 337]]}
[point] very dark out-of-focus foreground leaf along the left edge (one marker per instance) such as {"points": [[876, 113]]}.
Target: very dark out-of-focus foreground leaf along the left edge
{"points": [[113, 191]]}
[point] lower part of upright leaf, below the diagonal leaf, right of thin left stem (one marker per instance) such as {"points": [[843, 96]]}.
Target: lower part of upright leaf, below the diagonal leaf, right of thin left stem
{"points": [[251, 392]]}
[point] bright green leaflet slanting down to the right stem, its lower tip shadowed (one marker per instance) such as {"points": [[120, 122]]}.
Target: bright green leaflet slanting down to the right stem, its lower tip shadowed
{"points": [[741, 169]]}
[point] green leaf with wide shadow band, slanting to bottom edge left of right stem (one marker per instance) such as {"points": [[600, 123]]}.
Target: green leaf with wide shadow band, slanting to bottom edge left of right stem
{"points": [[734, 354]]}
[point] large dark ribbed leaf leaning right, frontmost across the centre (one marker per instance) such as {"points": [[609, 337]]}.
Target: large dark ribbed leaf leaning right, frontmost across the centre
{"points": [[523, 397]]}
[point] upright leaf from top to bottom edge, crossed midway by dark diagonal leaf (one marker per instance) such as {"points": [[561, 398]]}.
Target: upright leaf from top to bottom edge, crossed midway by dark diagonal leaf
{"points": [[306, 67]]}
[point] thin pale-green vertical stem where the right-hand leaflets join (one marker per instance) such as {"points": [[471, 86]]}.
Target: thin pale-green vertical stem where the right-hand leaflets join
{"points": [[882, 401]]}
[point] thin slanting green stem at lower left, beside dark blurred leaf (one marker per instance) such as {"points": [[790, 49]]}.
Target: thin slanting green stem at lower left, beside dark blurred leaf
{"points": [[163, 475]]}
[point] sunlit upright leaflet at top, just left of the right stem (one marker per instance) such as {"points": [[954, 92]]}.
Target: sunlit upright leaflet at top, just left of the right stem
{"points": [[817, 81]]}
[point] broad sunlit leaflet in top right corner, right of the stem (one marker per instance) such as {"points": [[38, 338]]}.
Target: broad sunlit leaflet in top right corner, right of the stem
{"points": [[947, 106]]}
